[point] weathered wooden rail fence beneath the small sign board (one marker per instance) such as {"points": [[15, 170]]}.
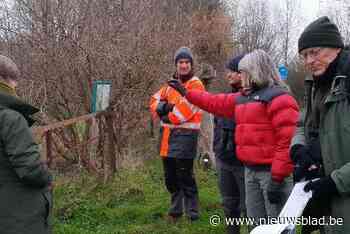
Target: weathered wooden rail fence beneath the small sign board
{"points": [[104, 141]]}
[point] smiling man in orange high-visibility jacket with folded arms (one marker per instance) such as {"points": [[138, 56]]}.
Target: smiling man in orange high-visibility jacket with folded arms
{"points": [[180, 124]]}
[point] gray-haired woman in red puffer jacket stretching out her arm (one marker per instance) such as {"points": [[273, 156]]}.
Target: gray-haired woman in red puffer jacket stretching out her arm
{"points": [[266, 116]]}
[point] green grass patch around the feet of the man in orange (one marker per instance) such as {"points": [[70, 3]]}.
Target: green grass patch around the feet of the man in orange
{"points": [[136, 201]]}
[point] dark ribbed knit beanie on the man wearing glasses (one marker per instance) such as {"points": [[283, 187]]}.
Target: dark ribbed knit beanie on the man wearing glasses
{"points": [[320, 33]]}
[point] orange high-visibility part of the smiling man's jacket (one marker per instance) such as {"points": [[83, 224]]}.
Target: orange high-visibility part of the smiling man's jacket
{"points": [[183, 115]]}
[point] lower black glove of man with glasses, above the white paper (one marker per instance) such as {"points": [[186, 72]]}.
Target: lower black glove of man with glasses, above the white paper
{"points": [[322, 188]]}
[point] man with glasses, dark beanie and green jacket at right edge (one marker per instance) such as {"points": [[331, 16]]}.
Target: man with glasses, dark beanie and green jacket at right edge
{"points": [[322, 140]]}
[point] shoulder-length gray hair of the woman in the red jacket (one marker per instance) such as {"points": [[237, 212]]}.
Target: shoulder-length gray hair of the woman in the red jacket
{"points": [[261, 70]]}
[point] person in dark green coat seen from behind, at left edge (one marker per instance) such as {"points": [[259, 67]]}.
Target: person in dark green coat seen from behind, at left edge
{"points": [[25, 183]]}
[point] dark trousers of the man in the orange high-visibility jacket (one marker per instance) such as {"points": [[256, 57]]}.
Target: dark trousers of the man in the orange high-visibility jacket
{"points": [[181, 184]]}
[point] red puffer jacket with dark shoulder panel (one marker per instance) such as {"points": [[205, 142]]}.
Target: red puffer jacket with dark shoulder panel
{"points": [[266, 121]]}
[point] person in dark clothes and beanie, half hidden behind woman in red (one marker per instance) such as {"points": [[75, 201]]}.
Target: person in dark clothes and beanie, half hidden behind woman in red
{"points": [[230, 169]]}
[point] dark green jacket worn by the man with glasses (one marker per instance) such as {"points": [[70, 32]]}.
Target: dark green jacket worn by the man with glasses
{"points": [[334, 134]]}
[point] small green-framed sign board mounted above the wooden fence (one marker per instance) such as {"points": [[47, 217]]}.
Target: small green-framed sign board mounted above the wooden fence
{"points": [[101, 92]]}
